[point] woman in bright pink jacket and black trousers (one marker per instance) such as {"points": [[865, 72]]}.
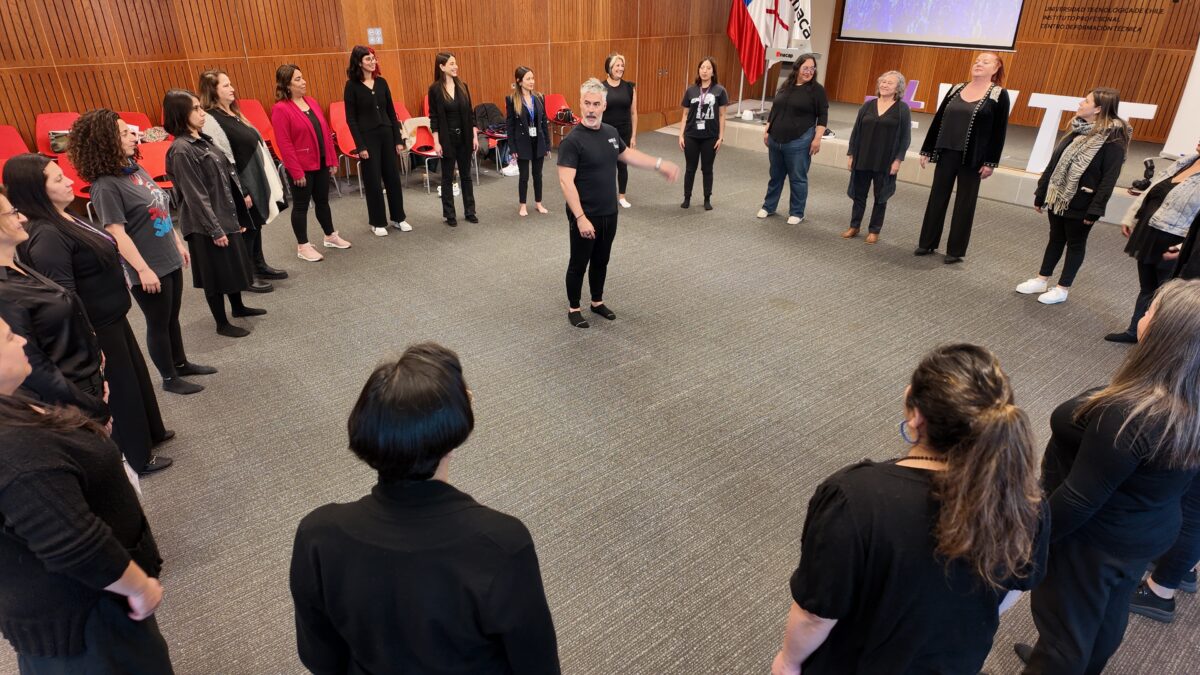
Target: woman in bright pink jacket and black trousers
{"points": [[303, 139]]}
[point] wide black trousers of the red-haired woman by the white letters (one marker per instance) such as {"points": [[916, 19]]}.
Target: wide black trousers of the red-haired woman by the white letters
{"points": [[949, 172]]}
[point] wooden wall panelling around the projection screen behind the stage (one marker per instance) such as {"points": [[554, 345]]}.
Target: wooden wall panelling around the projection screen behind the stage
{"points": [[1148, 65]]}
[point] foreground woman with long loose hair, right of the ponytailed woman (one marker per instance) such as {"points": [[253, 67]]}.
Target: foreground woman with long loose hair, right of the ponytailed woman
{"points": [[1119, 462]]}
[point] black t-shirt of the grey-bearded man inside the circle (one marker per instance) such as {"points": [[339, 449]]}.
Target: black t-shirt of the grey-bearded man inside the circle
{"points": [[593, 154]]}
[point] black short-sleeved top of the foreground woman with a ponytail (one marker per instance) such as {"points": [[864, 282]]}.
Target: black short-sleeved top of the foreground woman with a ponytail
{"points": [[868, 561]]}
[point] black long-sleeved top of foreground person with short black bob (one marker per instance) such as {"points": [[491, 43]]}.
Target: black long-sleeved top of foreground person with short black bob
{"points": [[419, 578]]}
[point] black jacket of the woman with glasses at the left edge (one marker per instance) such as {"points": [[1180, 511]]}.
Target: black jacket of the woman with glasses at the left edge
{"points": [[62, 345]]}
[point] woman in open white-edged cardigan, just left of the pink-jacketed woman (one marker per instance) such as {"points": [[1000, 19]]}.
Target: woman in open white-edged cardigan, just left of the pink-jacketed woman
{"points": [[245, 148]]}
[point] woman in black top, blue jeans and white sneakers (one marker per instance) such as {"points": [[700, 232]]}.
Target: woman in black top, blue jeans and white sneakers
{"points": [[795, 128]]}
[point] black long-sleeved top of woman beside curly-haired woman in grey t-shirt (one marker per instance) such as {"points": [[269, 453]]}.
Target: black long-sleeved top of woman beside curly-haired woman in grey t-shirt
{"points": [[77, 267]]}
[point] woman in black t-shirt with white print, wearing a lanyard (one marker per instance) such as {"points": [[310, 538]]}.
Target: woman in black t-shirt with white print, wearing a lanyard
{"points": [[704, 129]]}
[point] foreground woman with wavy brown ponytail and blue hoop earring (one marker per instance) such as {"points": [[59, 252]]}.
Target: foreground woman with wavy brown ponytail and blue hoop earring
{"points": [[908, 564]]}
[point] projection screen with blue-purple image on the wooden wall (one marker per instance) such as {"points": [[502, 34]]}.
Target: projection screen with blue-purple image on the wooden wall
{"points": [[958, 23]]}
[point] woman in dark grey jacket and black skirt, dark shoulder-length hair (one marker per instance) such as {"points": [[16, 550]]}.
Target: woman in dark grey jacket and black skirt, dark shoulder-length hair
{"points": [[213, 211]]}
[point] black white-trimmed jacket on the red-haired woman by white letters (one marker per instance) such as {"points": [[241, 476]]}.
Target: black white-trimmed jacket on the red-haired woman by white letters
{"points": [[986, 130]]}
